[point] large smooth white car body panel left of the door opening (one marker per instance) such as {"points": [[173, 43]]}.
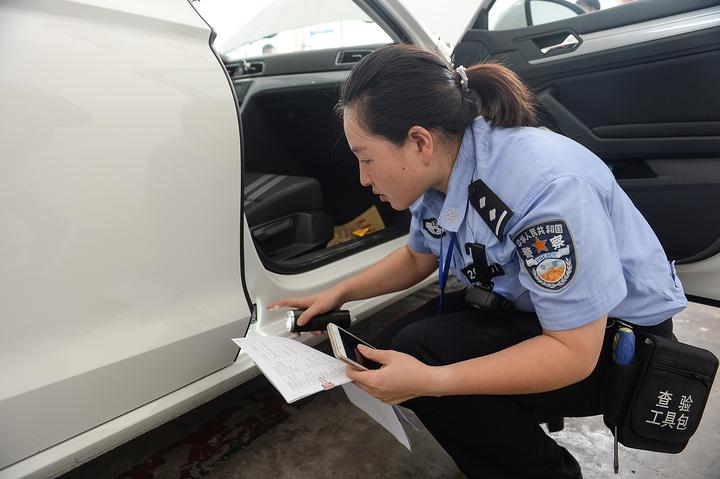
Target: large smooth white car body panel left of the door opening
{"points": [[120, 214]]}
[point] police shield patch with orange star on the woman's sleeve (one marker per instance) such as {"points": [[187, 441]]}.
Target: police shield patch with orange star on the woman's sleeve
{"points": [[548, 253]]}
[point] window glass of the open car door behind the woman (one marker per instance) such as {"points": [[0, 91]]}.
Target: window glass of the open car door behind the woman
{"points": [[509, 14]]}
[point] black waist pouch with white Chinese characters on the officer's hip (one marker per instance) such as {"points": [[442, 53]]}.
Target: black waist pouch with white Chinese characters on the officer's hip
{"points": [[657, 401]]}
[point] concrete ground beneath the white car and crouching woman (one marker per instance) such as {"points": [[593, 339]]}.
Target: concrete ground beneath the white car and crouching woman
{"points": [[250, 432]]}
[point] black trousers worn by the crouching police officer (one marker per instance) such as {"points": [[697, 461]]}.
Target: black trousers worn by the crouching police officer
{"points": [[494, 436]]}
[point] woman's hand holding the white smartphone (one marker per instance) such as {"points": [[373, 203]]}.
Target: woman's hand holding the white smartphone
{"points": [[402, 377]]}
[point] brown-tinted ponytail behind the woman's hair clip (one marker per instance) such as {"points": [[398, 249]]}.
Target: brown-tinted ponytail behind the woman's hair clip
{"points": [[501, 96]]}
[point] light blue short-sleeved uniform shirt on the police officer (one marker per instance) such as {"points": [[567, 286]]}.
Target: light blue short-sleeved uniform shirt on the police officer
{"points": [[574, 247]]}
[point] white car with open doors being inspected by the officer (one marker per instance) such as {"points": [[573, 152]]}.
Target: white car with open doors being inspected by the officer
{"points": [[158, 188]]}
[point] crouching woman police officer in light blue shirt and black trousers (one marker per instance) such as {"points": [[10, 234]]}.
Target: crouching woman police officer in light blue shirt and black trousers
{"points": [[533, 220]]}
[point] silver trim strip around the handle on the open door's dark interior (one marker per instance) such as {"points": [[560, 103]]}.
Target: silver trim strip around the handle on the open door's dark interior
{"points": [[640, 33]]}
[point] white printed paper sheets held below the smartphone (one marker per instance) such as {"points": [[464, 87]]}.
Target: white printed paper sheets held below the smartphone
{"points": [[297, 371]]}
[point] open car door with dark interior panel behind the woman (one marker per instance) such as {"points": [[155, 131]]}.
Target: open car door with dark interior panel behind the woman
{"points": [[637, 84]]}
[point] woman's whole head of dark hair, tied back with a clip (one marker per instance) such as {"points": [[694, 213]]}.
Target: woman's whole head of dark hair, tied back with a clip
{"points": [[399, 86]]}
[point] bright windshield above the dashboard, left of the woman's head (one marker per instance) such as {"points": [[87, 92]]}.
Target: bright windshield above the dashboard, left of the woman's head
{"points": [[266, 27]]}
